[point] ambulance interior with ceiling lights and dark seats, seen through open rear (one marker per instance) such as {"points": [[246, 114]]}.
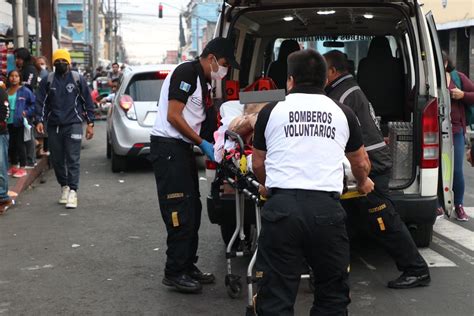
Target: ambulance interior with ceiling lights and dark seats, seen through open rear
{"points": [[379, 44]]}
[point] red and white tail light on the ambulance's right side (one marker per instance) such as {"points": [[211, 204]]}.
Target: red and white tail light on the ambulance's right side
{"points": [[430, 136]]}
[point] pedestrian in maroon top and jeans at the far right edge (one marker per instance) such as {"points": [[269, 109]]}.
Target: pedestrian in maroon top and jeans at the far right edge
{"points": [[461, 90]]}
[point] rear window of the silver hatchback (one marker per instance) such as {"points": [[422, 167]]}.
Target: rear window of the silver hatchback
{"points": [[145, 87]]}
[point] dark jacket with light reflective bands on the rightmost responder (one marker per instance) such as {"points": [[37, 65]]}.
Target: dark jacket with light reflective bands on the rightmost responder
{"points": [[345, 90]]}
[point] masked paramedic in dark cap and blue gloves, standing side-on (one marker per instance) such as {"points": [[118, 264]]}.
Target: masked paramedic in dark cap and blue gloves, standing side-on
{"points": [[181, 112]]}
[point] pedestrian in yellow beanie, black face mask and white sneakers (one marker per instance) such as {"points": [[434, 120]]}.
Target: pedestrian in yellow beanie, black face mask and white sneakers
{"points": [[64, 104]]}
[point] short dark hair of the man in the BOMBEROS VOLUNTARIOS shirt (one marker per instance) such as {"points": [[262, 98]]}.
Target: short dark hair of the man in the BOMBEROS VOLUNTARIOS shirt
{"points": [[307, 67]]}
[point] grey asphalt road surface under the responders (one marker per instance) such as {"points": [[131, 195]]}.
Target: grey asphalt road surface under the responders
{"points": [[107, 256]]}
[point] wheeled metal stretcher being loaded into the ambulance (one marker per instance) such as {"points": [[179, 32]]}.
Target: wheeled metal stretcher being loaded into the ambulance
{"points": [[234, 168]]}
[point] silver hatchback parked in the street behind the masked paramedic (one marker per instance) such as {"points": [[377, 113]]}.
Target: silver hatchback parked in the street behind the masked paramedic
{"points": [[133, 112]]}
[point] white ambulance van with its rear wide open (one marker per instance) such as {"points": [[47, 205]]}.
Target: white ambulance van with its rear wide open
{"points": [[413, 105]]}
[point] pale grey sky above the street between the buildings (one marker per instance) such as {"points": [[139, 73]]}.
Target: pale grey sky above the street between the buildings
{"points": [[146, 37]]}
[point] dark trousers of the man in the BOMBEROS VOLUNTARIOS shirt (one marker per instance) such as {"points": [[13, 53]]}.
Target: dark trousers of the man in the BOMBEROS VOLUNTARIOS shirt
{"points": [[300, 226]]}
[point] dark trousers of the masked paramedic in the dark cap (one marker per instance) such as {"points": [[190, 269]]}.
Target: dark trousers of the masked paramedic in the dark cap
{"points": [[176, 175]]}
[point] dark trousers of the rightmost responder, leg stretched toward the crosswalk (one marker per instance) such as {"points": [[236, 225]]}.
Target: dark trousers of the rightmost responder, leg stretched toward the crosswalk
{"points": [[386, 226]]}
